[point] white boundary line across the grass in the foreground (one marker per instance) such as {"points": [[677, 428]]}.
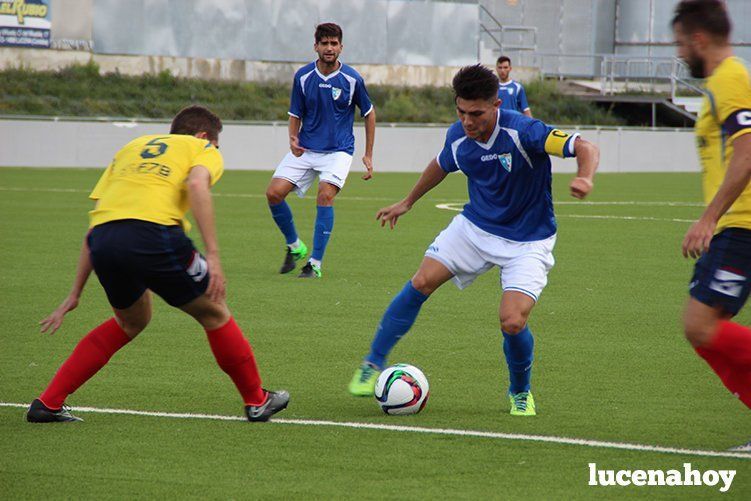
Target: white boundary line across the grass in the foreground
{"points": [[421, 429]]}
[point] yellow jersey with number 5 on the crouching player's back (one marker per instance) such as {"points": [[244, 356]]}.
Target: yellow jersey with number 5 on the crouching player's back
{"points": [[146, 179]]}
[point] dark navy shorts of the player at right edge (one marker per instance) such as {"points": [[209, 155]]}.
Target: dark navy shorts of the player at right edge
{"points": [[721, 276]]}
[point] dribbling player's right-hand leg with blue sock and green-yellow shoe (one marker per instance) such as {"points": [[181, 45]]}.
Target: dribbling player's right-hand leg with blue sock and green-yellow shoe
{"points": [[518, 347]]}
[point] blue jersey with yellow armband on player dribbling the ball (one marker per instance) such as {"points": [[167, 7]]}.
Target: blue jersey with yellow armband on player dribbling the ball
{"points": [[509, 178]]}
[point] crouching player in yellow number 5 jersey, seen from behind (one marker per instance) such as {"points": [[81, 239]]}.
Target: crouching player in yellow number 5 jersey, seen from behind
{"points": [[137, 244]]}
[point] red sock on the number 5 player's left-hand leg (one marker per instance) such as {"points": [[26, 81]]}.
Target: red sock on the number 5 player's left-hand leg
{"points": [[89, 355]]}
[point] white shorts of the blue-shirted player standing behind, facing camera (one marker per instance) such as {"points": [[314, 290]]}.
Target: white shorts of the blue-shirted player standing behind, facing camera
{"points": [[301, 171]]}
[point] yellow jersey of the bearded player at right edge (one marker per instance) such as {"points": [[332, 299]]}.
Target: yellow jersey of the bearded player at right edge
{"points": [[725, 115]]}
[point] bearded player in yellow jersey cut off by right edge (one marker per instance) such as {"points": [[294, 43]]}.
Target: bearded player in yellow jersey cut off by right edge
{"points": [[721, 238]]}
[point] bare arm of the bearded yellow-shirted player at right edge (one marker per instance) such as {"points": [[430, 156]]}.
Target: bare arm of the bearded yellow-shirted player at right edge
{"points": [[699, 235]]}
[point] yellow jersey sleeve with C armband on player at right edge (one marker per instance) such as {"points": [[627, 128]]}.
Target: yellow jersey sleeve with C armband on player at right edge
{"points": [[731, 93]]}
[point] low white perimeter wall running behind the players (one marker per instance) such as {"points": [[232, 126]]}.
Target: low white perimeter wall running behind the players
{"points": [[49, 143]]}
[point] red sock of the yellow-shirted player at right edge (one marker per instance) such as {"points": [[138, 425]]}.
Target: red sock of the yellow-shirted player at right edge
{"points": [[729, 355]]}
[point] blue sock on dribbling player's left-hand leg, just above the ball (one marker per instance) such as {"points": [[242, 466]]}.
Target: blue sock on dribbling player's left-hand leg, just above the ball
{"points": [[396, 321]]}
